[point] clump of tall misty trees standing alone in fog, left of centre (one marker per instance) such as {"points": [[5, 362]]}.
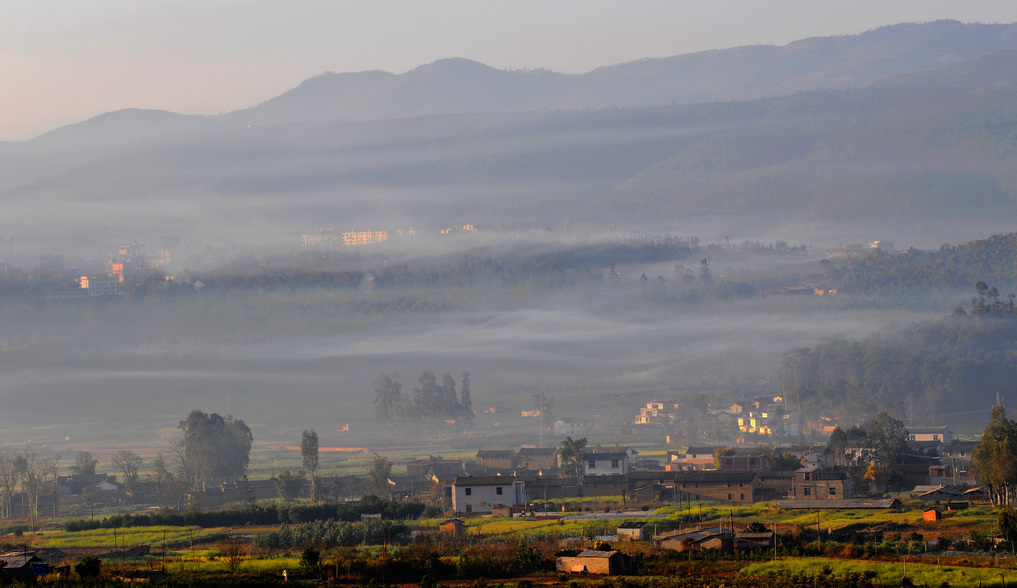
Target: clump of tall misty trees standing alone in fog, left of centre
{"points": [[434, 409]]}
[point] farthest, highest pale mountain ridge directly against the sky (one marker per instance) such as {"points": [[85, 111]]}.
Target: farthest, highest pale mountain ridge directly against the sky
{"points": [[461, 86]]}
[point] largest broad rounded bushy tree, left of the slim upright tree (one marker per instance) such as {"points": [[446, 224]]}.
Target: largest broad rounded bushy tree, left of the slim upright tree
{"points": [[214, 450]]}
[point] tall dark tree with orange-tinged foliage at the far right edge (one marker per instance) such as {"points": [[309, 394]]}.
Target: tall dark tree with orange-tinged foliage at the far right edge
{"points": [[996, 457]]}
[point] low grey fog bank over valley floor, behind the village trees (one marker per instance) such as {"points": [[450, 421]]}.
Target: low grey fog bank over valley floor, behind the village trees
{"points": [[85, 379]]}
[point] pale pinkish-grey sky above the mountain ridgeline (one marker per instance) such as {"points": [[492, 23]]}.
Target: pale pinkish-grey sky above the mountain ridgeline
{"points": [[64, 63]]}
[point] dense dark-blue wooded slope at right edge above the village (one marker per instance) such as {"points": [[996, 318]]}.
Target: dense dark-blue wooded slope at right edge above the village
{"points": [[922, 371]]}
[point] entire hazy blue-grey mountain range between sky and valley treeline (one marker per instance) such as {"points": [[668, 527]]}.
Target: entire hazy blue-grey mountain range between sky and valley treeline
{"points": [[933, 144]]}
